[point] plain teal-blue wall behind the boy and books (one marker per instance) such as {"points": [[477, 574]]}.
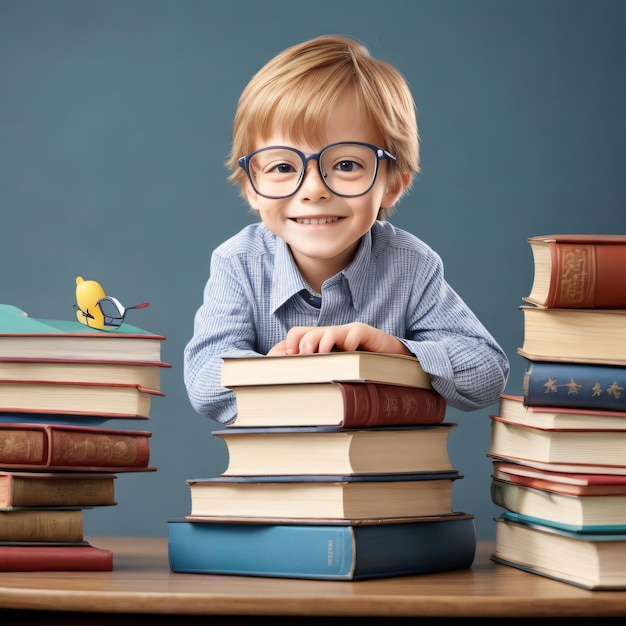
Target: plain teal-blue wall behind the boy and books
{"points": [[115, 121]]}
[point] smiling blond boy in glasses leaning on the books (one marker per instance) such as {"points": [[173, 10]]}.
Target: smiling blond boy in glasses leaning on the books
{"points": [[325, 143]]}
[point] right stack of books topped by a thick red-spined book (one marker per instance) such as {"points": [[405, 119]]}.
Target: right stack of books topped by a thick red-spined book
{"points": [[559, 449]]}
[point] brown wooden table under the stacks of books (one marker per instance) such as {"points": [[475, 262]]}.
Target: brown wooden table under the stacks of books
{"points": [[142, 589]]}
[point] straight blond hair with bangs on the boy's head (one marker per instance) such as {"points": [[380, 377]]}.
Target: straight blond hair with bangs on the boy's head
{"points": [[298, 88]]}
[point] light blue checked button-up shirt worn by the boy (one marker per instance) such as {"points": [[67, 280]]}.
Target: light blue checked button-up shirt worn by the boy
{"points": [[395, 282]]}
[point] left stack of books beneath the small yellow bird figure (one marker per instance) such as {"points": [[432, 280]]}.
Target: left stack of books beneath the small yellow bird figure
{"points": [[60, 382]]}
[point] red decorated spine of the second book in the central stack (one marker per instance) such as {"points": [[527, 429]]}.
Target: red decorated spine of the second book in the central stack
{"points": [[376, 404]]}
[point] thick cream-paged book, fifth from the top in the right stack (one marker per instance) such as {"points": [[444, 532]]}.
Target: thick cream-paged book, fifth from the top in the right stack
{"points": [[591, 447]]}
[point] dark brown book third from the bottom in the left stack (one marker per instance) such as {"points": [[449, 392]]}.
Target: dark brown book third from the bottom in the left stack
{"points": [[55, 489]]}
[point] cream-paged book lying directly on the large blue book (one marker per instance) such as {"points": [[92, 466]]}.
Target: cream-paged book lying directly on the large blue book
{"points": [[315, 497]]}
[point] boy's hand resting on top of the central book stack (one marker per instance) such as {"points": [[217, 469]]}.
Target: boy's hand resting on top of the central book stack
{"points": [[347, 338]]}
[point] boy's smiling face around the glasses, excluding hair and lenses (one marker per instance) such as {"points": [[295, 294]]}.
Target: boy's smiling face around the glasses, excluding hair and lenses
{"points": [[322, 229]]}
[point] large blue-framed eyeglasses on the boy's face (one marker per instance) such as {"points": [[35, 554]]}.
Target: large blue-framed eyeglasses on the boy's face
{"points": [[348, 168]]}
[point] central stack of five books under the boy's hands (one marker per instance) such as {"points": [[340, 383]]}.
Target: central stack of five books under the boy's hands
{"points": [[338, 469]]}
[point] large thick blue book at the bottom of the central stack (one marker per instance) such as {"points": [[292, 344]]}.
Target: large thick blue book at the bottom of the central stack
{"points": [[341, 552]]}
